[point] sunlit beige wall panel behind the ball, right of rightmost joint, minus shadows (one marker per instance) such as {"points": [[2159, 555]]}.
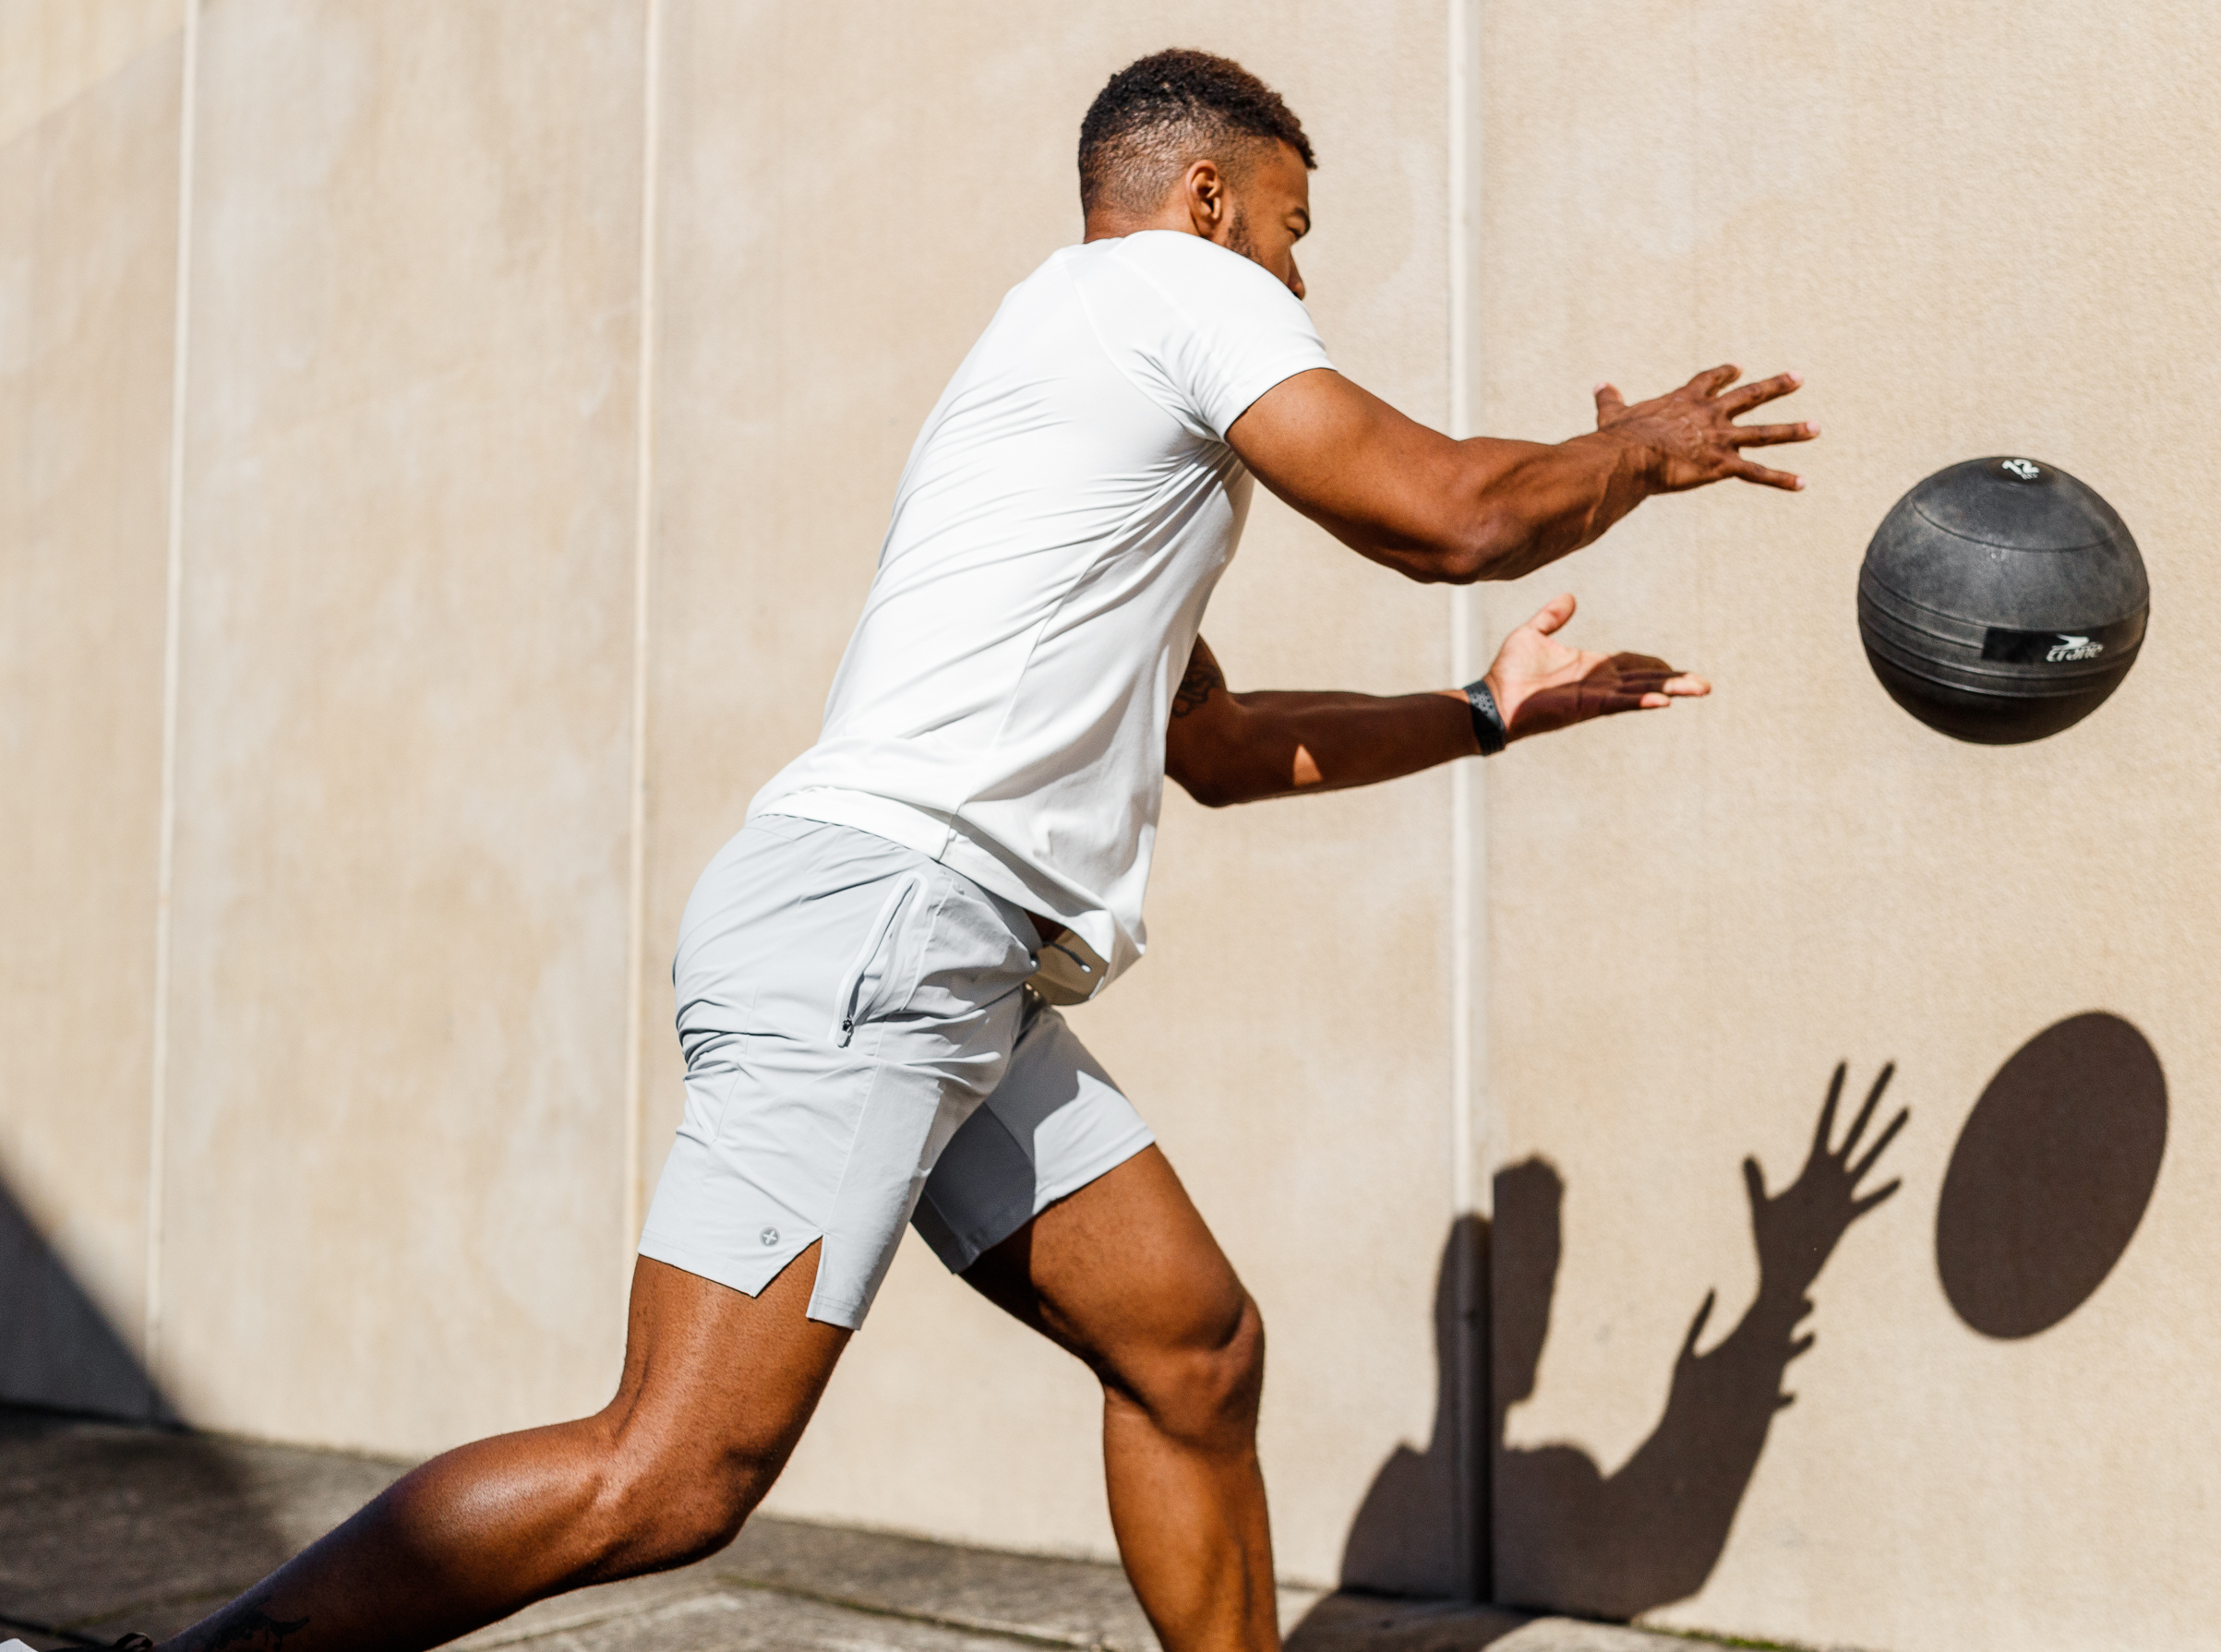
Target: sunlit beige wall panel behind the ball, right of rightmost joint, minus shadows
{"points": [[1978, 230]]}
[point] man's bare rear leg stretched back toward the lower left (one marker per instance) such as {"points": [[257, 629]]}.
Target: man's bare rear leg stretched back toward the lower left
{"points": [[714, 1398]]}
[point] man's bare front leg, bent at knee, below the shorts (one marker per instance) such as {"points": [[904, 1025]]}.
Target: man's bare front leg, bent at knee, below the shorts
{"points": [[1127, 1276]]}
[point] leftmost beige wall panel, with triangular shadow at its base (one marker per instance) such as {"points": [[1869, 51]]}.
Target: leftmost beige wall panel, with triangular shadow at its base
{"points": [[88, 263]]}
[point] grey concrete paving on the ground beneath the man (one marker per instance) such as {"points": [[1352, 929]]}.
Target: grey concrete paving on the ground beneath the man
{"points": [[110, 1529]]}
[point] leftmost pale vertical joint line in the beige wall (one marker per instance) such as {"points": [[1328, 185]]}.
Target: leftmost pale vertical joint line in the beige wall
{"points": [[172, 638]]}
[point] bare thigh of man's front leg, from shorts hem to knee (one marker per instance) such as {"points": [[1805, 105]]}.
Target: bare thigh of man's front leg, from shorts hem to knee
{"points": [[1125, 1273]]}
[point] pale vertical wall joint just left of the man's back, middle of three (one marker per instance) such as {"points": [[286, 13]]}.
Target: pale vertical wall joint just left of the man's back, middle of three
{"points": [[636, 918]]}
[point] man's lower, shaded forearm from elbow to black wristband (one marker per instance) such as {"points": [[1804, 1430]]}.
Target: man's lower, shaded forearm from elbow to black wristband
{"points": [[1276, 745]]}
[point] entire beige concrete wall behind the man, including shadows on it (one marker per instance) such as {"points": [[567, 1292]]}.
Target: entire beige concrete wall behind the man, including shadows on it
{"points": [[443, 450]]}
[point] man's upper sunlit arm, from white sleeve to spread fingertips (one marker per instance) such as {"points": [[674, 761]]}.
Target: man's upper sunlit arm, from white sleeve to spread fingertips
{"points": [[1494, 510]]}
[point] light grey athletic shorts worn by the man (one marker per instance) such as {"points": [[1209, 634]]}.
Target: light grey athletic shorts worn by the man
{"points": [[861, 1054]]}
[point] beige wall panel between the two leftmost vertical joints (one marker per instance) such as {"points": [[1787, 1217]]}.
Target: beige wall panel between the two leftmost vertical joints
{"points": [[405, 716]]}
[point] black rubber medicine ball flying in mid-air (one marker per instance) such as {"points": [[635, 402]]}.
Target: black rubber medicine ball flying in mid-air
{"points": [[2002, 601]]}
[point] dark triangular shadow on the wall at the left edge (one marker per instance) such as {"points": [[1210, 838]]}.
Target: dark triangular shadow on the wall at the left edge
{"points": [[57, 1347]]}
